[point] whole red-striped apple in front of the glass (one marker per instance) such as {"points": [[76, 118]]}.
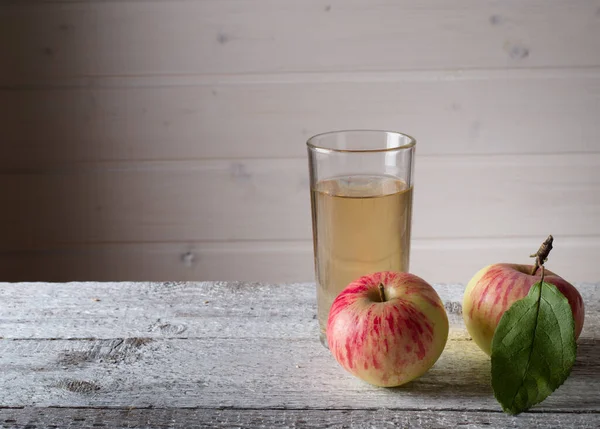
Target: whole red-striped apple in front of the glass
{"points": [[387, 343]]}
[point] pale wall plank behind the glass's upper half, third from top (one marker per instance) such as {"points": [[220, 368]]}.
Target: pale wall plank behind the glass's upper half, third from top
{"points": [[470, 197]]}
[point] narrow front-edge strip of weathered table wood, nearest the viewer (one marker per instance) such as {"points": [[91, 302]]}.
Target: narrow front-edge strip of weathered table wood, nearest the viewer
{"points": [[86, 418]]}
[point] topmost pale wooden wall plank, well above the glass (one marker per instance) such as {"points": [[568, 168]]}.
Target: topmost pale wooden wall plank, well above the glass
{"points": [[46, 39]]}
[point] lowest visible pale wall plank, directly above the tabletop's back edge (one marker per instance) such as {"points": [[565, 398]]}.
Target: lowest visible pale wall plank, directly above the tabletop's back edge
{"points": [[436, 260]]}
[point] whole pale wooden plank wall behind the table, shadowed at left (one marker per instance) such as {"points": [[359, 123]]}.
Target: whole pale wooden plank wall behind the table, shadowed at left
{"points": [[164, 139]]}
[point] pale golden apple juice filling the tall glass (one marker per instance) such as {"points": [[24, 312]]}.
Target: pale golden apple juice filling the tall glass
{"points": [[361, 225]]}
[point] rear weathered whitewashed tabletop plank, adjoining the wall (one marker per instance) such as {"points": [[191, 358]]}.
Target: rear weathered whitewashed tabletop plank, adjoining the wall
{"points": [[237, 310]]}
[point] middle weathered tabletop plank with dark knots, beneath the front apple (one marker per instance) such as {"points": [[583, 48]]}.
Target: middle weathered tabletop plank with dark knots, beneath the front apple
{"points": [[254, 373]]}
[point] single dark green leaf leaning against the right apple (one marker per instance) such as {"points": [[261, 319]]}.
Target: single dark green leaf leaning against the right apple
{"points": [[533, 349]]}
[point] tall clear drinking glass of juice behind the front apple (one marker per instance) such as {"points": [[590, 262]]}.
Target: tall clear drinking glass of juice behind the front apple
{"points": [[361, 185]]}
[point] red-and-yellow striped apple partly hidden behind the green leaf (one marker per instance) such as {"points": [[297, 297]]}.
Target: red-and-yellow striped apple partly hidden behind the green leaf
{"points": [[496, 287]]}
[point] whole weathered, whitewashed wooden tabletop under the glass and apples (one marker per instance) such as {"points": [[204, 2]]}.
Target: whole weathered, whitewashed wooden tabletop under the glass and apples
{"points": [[165, 355]]}
